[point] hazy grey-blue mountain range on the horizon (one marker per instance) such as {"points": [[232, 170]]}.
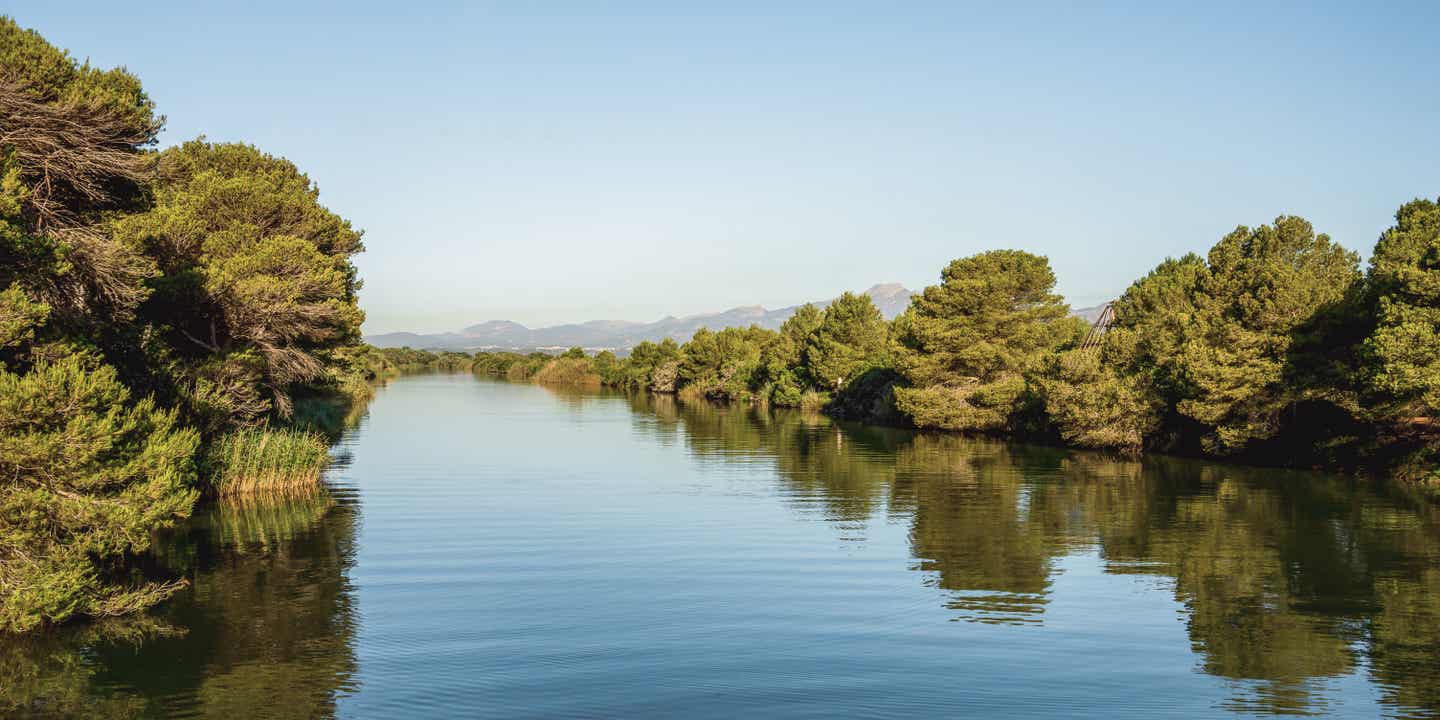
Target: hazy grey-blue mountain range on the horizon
{"points": [[620, 335]]}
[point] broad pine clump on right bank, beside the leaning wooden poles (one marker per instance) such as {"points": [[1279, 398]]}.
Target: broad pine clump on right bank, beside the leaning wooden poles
{"points": [[1222, 352]]}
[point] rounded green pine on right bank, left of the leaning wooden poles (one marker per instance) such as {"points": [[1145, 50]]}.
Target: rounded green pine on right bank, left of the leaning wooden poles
{"points": [[967, 343]]}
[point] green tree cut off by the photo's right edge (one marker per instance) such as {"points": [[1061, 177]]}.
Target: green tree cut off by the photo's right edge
{"points": [[1403, 354]]}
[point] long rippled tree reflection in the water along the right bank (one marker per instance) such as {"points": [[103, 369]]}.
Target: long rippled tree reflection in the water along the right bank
{"points": [[1288, 580]]}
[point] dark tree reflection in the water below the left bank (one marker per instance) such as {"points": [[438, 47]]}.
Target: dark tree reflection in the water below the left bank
{"points": [[267, 629]]}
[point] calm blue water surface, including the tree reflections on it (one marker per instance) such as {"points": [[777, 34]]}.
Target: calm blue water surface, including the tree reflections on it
{"points": [[509, 551]]}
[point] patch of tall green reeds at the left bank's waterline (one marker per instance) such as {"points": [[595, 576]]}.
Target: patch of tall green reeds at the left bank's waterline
{"points": [[267, 460]]}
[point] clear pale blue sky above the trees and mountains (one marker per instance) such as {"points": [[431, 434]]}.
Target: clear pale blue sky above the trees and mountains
{"points": [[561, 162]]}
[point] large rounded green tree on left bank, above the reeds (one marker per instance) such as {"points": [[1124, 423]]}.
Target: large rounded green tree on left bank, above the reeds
{"points": [[256, 274]]}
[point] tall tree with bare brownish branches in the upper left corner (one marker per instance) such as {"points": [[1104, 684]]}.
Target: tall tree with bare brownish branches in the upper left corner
{"points": [[73, 142]]}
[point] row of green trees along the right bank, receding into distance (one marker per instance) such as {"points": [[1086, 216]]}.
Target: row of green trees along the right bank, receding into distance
{"points": [[1274, 348]]}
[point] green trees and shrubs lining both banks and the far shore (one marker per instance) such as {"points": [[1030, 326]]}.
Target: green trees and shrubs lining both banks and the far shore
{"points": [[182, 325]]}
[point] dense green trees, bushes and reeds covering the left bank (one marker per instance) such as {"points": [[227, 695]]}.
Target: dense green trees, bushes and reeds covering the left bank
{"points": [[175, 326]]}
